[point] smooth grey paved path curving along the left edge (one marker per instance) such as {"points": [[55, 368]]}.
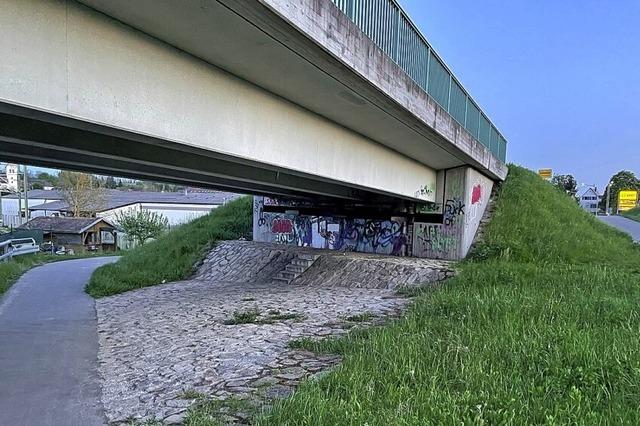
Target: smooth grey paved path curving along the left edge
{"points": [[48, 348]]}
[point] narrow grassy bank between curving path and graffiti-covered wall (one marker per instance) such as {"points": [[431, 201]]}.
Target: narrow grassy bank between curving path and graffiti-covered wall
{"points": [[172, 256]]}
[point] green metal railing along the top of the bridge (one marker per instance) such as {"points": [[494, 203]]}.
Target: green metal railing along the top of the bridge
{"points": [[390, 28]]}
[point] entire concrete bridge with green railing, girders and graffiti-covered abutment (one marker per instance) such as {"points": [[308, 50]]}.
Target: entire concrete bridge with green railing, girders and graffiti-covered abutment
{"points": [[339, 112]]}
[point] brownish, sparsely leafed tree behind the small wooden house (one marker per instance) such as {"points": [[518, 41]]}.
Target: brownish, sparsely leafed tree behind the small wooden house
{"points": [[82, 193]]}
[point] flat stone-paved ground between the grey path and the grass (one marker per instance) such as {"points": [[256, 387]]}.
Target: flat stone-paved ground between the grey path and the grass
{"points": [[158, 342]]}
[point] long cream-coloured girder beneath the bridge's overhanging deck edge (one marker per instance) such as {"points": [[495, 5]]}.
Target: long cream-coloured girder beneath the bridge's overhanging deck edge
{"points": [[67, 60]]}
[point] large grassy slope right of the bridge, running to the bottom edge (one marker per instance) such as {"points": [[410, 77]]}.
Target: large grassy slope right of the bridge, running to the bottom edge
{"points": [[543, 330]]}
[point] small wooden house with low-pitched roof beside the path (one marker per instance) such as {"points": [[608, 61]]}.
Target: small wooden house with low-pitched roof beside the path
{"points": [[92, 233]]}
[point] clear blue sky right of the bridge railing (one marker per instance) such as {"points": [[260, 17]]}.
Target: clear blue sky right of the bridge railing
{"points": [[560, 79]]}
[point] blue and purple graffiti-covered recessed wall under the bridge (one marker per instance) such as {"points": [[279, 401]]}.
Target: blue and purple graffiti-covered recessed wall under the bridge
{"points": [[360, 235]]}
